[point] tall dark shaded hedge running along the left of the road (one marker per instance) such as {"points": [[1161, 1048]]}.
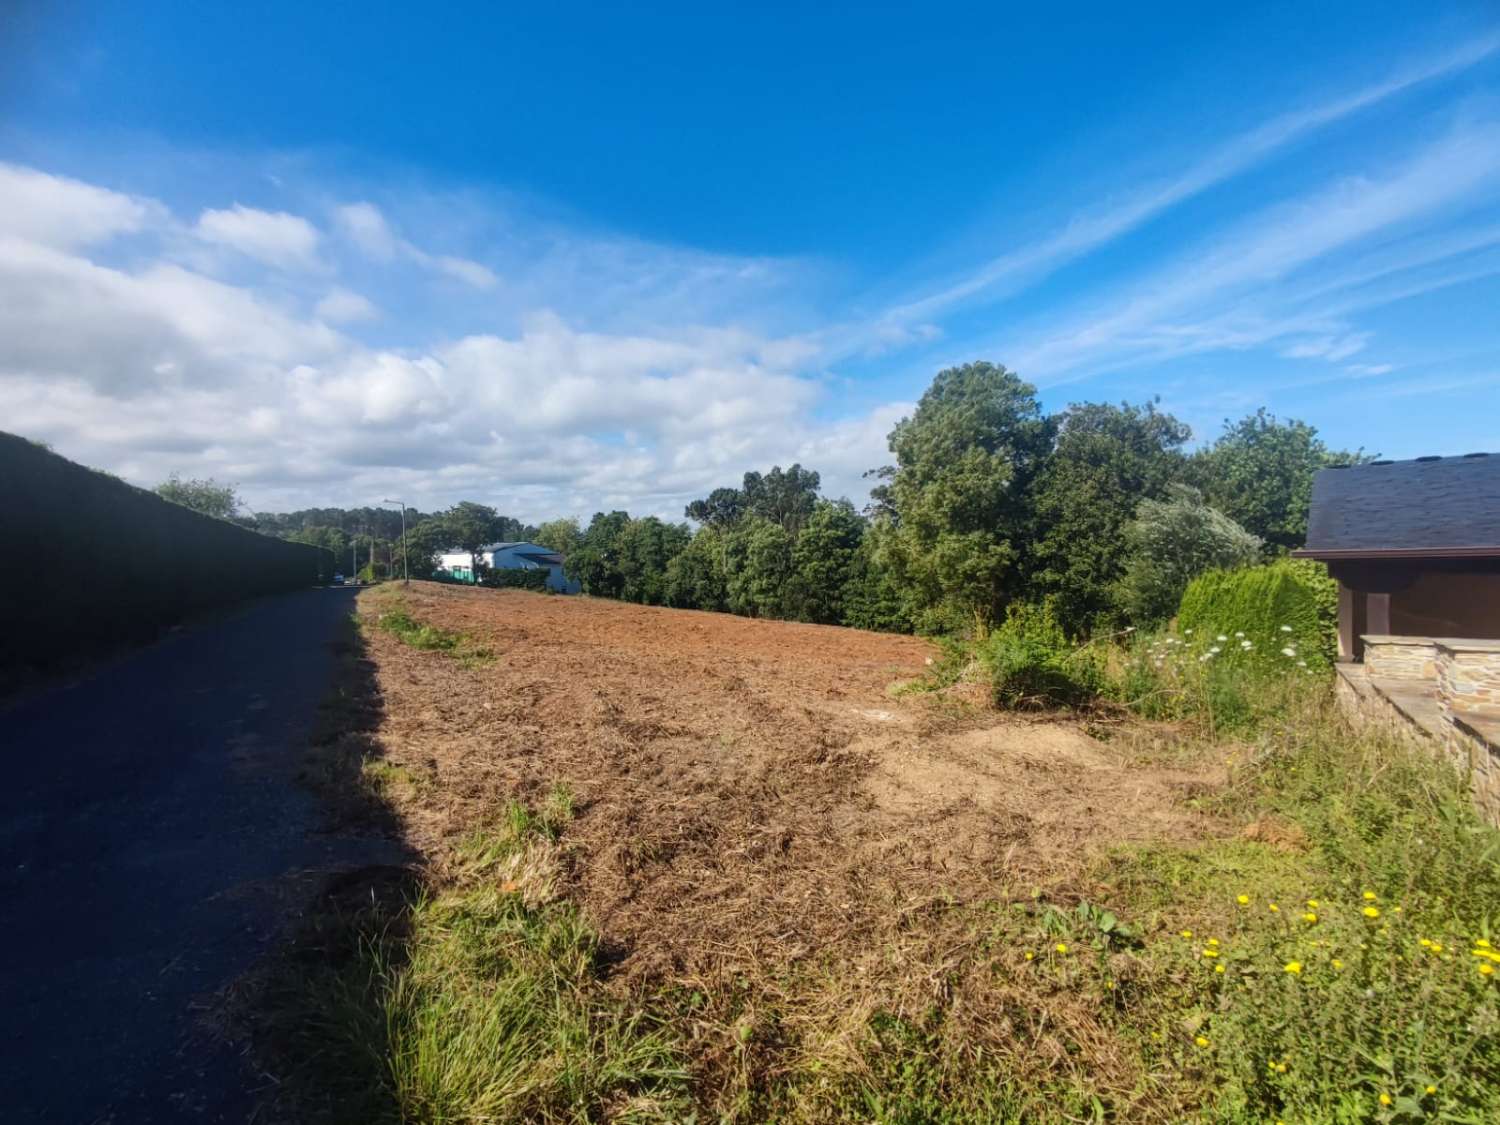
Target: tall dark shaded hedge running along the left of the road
{"points": [[88, 560]]}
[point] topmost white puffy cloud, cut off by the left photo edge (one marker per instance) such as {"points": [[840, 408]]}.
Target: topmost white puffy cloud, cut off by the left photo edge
{"points": [[55, 211]]}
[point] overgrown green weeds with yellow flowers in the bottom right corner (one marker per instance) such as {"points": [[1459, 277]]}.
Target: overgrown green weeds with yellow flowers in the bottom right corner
{"points": [[1342, 973]]}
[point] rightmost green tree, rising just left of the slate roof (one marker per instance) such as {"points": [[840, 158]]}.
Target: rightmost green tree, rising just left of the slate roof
{"points": [[1261, 472]]}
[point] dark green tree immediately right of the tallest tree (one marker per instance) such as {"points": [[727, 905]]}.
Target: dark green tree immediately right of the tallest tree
{"points": [[1105, 463]]}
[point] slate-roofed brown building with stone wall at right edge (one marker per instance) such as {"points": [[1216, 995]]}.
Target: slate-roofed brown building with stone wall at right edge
{"points": [[1415, 547]]}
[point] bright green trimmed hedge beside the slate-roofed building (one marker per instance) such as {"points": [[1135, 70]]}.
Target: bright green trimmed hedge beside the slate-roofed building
{"points": [[1261, 601]]}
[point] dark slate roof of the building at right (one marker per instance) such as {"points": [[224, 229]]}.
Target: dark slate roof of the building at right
{"points": [[1430, 506]]}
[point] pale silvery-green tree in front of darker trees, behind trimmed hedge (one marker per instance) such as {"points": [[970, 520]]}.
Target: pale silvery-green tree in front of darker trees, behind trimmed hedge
{"points": [[1169, 544]]}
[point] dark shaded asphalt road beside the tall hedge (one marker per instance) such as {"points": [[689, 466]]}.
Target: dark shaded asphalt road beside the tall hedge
{"points": [[151, 826]]}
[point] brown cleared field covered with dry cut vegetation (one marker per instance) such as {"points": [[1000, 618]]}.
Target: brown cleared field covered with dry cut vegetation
{"points": [[746, 791]]}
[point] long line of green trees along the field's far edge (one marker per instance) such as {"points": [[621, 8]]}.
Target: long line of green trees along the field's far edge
{"points": [[1097, 511]]}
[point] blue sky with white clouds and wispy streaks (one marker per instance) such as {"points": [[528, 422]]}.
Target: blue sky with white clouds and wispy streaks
{"points": [[575, 257]]}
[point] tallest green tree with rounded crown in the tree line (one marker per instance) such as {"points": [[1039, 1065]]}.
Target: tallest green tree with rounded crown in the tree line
{"points": [[964, 466]]}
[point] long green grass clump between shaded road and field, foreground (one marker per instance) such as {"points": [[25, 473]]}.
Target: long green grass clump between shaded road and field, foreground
{"points": [[482, 1003]]}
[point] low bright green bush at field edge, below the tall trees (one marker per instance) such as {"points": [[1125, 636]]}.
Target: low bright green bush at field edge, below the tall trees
{"points": [[1033, 665]]}
